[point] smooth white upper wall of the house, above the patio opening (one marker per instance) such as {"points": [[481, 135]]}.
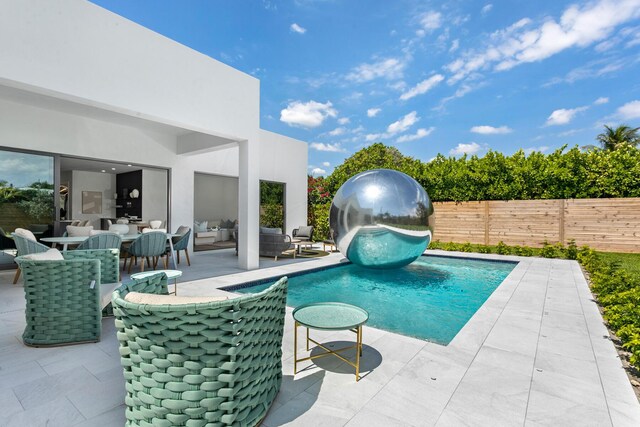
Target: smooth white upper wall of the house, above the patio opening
{"points": [[80, 52]]}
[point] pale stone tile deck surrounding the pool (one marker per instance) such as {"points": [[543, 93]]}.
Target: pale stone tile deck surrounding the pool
{"points": [[536, 353]]}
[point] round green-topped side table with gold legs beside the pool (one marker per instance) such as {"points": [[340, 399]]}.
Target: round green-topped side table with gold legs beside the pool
{"points": [[329, 316]]}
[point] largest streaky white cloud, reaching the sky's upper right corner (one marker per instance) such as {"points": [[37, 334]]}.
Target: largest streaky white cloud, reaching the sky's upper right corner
{"points": [[520, 43]]}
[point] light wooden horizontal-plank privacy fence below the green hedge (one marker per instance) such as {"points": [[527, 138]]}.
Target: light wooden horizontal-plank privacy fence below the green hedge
{"points": [[603, 224]]}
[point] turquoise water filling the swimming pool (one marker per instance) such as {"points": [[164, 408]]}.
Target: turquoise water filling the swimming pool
{"points": [[431, 298]]}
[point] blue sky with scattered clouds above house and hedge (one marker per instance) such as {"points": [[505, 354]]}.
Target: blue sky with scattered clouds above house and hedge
{"points": [[426, 77]]}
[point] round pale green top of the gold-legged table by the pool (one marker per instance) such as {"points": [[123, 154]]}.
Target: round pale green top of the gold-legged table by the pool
{"points": [[330, 316]]}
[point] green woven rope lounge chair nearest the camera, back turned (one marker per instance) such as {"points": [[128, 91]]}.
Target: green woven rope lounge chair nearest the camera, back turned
{"points": [[200, 364]]}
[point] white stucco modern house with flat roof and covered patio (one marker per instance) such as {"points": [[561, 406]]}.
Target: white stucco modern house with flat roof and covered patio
{"points": [[77, 80]]}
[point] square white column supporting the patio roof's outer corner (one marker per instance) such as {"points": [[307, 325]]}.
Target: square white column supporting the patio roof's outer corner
{"points": [[248, 204]]}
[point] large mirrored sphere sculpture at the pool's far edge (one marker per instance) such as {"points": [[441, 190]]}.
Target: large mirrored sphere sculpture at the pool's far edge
{"points": [[381, 219]]}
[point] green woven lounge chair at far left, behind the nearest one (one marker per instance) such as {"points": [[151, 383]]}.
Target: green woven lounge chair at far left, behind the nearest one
{"points": [[64, 298]]}
